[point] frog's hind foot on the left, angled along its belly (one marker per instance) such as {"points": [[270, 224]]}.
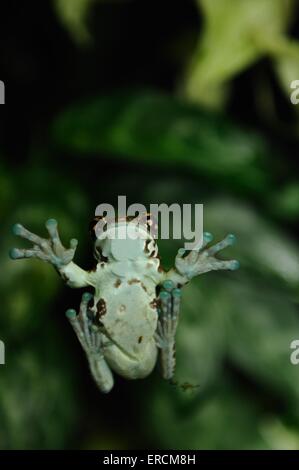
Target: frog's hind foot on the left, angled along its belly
{"points": [[92, 342]]}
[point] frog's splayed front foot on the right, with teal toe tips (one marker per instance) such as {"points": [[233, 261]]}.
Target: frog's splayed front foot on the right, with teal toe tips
{"points": [[203, 260]]}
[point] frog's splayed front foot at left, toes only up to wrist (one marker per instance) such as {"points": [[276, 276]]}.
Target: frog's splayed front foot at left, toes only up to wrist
{"points": [[50, 250]]}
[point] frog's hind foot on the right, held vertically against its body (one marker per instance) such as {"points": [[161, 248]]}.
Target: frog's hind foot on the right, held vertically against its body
{"points": [[169, 300]]}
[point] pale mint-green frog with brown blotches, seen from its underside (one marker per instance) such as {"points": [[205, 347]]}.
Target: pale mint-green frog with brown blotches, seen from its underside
{"points": [[129, 321]]}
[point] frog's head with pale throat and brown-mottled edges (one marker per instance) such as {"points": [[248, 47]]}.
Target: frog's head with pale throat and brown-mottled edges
{"points": [[124, 239]]}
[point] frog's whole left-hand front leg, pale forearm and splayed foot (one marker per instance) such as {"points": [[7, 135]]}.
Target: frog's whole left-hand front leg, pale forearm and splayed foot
{"points": [[52, 251]]}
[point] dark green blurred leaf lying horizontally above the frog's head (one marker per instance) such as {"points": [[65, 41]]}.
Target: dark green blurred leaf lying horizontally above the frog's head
{"points": [[156, 129]]}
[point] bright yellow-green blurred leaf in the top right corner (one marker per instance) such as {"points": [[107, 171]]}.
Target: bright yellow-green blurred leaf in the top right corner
{"points": [[235, 35]]}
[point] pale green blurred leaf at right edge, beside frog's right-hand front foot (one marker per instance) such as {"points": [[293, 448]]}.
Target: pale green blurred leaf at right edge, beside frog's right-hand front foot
{"points": [[261, 246]]}
